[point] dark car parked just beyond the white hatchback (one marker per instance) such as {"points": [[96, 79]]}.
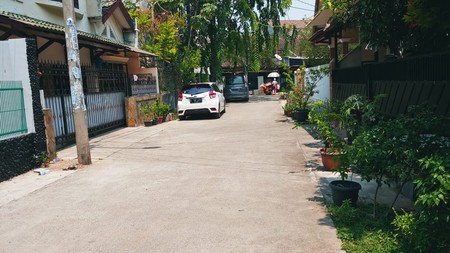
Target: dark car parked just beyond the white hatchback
{"points": [[236, 88]]}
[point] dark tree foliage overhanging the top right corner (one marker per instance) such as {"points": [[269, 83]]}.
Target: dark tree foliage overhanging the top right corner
{"points": [[404, 26]]}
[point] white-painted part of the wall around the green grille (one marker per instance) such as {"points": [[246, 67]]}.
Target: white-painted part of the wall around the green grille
{"points": [[14, 67]]}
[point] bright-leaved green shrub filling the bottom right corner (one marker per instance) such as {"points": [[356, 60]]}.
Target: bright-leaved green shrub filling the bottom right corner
{"points": [[428, 229]]}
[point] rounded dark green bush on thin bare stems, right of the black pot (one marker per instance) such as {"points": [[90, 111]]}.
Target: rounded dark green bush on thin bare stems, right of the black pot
{"points": [[390, 151]]}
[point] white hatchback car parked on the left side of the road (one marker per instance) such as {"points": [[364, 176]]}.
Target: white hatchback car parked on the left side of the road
{"points": [[200, 98]]}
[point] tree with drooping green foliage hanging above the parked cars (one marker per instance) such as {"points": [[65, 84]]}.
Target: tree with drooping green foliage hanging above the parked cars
{"points": [[237, 31]]}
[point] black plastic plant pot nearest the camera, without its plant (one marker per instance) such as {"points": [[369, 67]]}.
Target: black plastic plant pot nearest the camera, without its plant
{"points": [[342, 190]]}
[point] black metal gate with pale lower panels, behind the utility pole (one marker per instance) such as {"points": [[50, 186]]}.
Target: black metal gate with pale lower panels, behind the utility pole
{"points": [[104, 88]]}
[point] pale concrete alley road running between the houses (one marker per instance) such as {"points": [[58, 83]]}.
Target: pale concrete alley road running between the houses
{"points": [[235, 184]]}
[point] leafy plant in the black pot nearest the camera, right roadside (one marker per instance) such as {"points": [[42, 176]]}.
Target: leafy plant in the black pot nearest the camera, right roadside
{"points": [[355, 116]]}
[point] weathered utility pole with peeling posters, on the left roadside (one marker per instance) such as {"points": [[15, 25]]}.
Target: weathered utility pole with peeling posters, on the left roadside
{"points": [[76, 85]]}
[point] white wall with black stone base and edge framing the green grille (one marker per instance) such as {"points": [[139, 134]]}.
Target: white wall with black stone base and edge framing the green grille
{"points": [[19, 153]]}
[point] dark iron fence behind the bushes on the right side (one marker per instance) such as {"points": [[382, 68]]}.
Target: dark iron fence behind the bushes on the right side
{"points": [[405, 82]]}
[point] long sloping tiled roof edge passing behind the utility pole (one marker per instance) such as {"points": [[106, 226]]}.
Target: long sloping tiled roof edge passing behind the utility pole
{"points": [[55, 27]]}
